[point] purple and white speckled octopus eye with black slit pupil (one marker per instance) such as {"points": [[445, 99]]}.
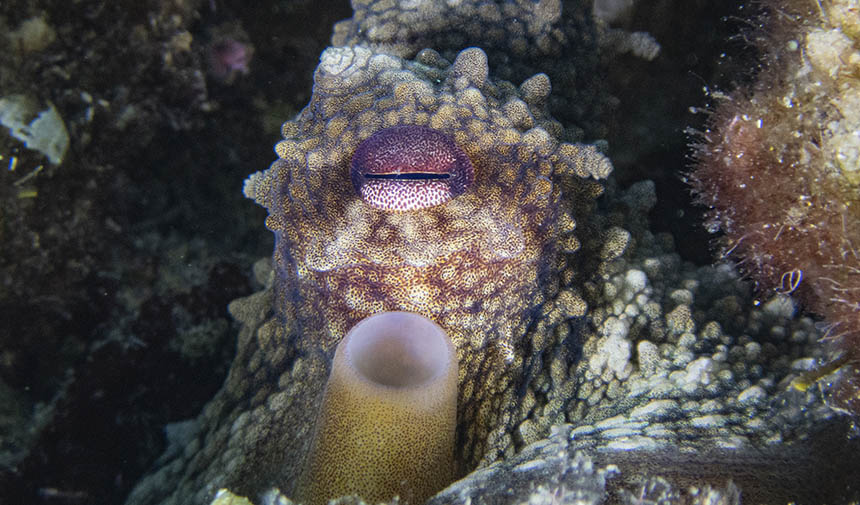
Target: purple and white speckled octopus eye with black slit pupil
{"points": [[409, 168]]}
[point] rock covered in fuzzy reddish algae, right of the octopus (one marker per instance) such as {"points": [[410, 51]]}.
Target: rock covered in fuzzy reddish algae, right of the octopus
{"points": [[779, 169]]}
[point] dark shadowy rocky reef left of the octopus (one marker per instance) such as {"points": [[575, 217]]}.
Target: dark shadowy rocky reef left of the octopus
{"points": [[121, 151]]}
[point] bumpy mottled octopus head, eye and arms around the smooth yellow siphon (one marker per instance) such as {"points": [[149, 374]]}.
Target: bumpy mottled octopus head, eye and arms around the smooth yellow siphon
{"points": [[587, 348]]}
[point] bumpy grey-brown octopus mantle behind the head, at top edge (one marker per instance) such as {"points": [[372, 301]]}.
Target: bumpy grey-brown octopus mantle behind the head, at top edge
{"points": [[520, 37]]}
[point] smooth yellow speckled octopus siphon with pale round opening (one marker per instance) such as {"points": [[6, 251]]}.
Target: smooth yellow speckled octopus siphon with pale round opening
{"points": [[386, 425]]}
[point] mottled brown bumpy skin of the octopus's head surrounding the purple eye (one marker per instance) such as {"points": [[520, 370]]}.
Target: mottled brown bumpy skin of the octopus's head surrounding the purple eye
{"points": [[477, 265]]}
